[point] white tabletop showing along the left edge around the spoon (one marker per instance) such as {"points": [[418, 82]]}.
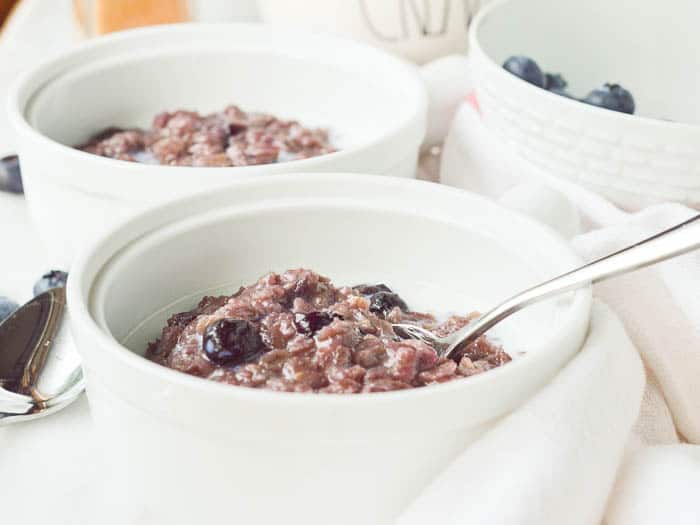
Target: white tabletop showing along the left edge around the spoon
{"points": [[49, 469]]}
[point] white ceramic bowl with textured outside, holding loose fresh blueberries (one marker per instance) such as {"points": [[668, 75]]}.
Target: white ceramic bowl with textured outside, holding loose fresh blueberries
{"points": [[644, 45]]}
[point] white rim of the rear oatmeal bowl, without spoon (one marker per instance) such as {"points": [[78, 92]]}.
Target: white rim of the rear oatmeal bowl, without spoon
{"points": [[25, 88]]}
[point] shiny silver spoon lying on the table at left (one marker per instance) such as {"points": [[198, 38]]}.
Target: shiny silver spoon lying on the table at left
{"points": [[40, 369]]}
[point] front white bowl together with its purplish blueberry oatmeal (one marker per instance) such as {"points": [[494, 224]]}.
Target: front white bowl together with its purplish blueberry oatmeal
{"points": [[238, 344]]}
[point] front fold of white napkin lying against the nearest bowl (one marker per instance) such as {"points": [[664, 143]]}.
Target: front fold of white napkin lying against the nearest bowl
{"points": [[554, 460]]}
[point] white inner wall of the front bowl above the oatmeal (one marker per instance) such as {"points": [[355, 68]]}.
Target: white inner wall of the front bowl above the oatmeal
{"points": [[456, 262]]}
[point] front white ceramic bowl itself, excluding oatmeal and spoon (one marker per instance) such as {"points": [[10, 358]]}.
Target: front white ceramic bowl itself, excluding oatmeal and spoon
{"points": [[187, 450]]}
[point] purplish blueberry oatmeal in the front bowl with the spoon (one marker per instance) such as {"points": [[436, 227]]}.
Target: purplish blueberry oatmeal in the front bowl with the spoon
{"points": [[297, 332]]}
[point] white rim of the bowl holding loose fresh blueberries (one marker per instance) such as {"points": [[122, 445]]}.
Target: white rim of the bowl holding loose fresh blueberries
{"points": [[494, 9]]}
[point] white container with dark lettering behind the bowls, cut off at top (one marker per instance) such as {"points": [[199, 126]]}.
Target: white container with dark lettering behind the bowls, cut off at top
{"points": [[419, 30]]}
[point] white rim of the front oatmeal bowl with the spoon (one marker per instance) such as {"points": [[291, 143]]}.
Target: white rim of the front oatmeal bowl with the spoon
{"points": [[111, 243]]}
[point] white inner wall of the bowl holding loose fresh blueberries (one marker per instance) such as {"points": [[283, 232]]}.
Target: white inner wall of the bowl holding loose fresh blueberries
{"points": [[643, 45]]}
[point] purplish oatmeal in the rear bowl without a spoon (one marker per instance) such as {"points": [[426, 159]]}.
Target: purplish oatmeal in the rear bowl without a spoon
{"points": [[231, 137]]}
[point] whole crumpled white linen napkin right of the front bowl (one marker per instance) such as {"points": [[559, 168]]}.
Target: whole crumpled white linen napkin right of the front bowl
{"points": [[498, 481]]}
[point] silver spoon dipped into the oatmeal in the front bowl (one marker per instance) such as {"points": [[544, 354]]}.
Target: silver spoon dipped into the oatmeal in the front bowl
{"points": [[677, 240]]}
